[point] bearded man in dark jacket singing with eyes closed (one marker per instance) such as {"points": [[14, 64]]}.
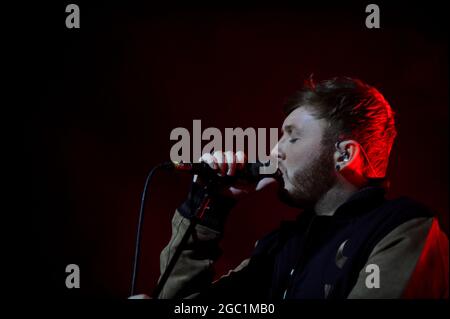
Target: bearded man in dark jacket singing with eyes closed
{"points": [[333, 156]]}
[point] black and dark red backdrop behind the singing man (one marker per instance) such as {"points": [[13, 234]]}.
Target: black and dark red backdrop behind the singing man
{"points": [[110, 93]]}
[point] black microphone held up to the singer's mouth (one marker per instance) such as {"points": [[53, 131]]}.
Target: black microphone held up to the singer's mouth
{"points": [[252, 172]]}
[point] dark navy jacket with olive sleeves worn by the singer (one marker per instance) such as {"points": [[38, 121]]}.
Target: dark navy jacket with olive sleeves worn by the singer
{"points": [[370, 248]]}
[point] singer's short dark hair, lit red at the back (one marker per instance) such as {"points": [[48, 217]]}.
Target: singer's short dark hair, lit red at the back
{"points": [[353, 110]]}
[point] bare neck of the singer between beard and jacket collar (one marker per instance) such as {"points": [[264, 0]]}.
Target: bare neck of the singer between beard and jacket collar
{"points": [[333, 198]]}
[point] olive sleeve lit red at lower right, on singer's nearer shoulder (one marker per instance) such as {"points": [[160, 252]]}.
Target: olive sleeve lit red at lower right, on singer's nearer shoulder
{"points": [[397, 257]]}
